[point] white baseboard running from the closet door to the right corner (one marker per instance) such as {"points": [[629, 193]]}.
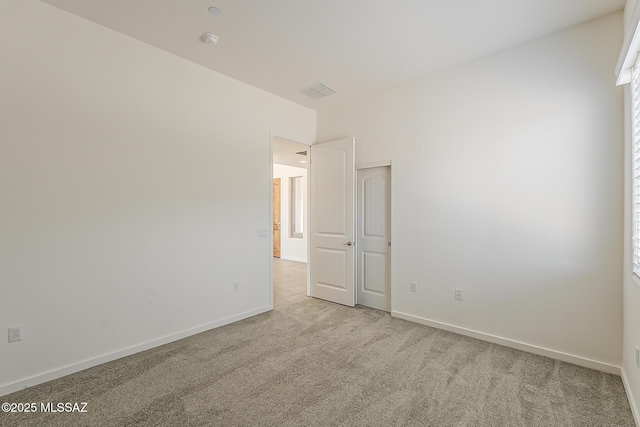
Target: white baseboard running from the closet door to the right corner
{"points": [[558, 355]]}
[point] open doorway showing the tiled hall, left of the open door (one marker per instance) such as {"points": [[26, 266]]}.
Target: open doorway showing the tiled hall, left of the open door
{"points": [[290, 221]]}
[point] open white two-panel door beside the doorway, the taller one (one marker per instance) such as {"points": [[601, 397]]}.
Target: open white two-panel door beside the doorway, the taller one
{"points": [[332, 219]]}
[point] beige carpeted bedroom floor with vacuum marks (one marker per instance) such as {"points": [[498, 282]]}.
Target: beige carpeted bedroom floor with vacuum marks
{"points": [[314, 363]]}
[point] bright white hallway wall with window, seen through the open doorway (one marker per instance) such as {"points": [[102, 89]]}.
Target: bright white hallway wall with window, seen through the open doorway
{"points": [[294, 249]]}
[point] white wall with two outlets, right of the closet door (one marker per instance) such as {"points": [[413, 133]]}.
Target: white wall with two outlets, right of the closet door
{"points": [[507, 184]]}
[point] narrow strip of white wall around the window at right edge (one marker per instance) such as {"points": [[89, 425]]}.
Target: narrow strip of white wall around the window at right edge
{"points": [[631, 287]]}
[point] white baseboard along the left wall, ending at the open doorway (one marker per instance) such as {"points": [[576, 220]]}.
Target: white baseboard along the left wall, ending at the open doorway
{"points": [[80, 366]]}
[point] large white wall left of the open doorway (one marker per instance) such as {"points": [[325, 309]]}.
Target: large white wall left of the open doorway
{"points": [[120, 227]]}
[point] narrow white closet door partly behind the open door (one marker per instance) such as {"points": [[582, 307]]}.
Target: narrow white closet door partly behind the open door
{"points": [[374, 237]]}
